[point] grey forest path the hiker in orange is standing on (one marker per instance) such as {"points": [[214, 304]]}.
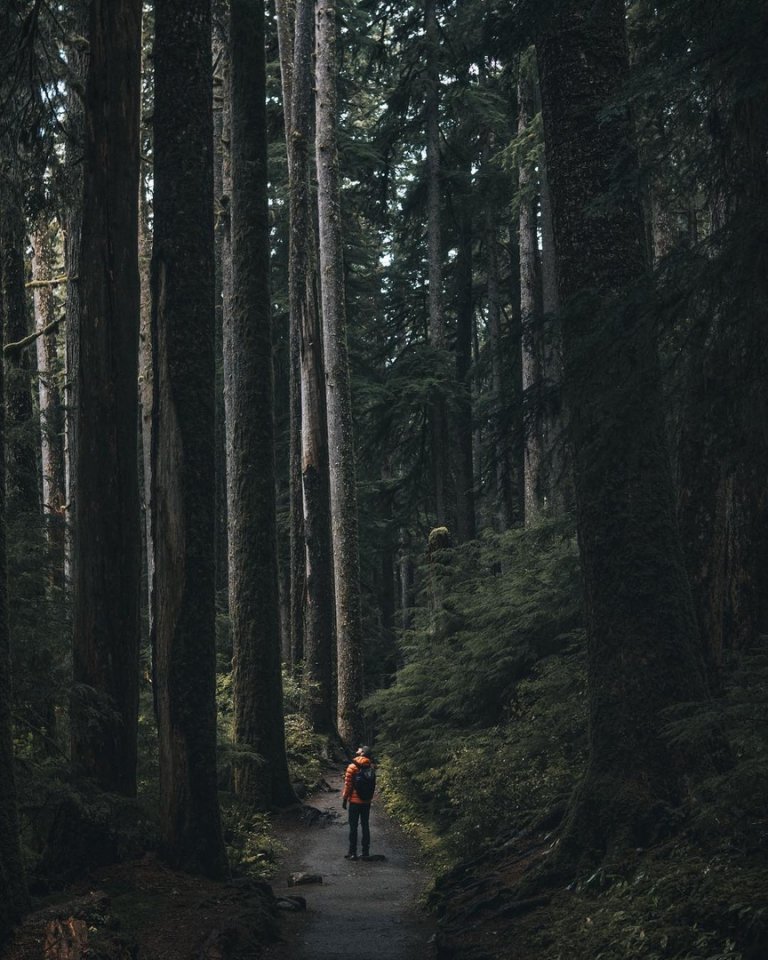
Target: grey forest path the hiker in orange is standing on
{"points": [[366, 910]]}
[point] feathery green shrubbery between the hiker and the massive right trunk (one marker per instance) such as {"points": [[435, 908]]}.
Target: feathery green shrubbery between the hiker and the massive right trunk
{"points": [[484, 725]]}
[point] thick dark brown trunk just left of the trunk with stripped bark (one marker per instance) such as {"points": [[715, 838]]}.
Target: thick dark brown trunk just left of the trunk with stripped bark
{"points": [[106, 555]]}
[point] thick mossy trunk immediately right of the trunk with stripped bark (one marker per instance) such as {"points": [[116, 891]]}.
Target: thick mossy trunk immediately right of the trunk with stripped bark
{"points": [[253, 582]]}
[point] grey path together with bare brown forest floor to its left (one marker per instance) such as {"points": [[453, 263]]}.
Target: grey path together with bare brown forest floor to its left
{"points": [[142, 910]]}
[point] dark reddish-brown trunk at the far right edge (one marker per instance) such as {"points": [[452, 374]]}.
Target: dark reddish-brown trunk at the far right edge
{"points": [[724, 447]]}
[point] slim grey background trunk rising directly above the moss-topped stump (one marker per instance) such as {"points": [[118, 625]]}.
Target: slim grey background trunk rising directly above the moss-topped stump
{"points": [[437, 332]]}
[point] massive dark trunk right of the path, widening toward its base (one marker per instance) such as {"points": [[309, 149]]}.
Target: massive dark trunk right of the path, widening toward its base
{"points": [[642, 643]]}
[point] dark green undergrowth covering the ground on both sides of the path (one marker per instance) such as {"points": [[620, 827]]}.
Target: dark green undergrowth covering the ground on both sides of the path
{"points": [[482, 738]]}
